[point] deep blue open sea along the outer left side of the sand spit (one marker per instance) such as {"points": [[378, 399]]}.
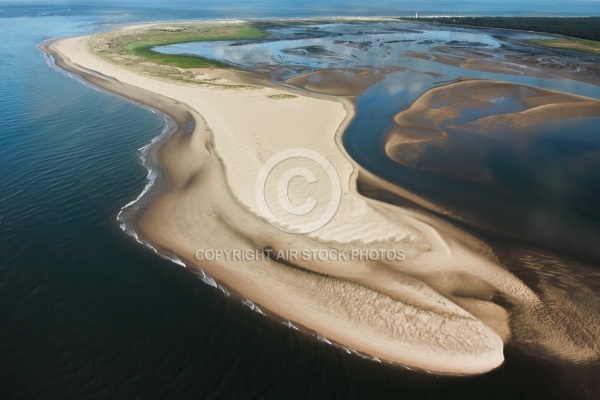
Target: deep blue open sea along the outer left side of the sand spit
{"points": [[85, 311]]}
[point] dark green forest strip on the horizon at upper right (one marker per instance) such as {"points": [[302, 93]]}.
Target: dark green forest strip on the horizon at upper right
{"points": [[582, 27]]}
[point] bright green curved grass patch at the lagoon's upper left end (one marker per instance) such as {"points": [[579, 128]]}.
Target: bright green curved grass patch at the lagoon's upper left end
{"points": [[142, 46]]}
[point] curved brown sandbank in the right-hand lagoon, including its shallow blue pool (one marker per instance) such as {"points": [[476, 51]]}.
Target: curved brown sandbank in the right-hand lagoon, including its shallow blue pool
{"points": [[513, 111]]}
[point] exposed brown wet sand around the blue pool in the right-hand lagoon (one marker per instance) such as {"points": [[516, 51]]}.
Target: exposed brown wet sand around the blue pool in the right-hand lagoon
{"points": [[422, 122]]}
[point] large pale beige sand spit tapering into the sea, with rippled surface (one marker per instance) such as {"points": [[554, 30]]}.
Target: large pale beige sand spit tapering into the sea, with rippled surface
{"points": [[433, 308]]}
